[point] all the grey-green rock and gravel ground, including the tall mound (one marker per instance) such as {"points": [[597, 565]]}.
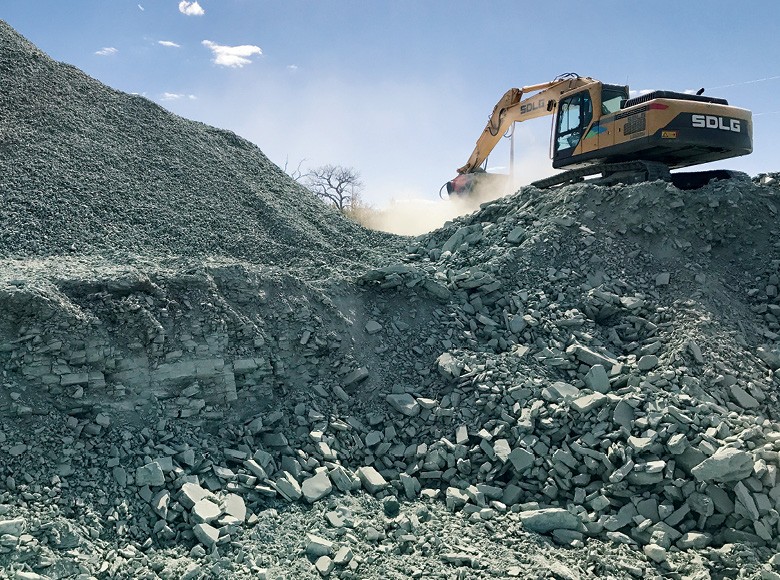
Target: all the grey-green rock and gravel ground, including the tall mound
{"points": [[206, 373]]}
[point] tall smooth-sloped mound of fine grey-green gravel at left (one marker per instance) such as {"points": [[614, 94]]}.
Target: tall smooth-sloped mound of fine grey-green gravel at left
{"points": [[86, 169]]}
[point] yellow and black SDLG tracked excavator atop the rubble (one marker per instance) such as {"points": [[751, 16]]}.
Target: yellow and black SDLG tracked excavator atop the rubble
{"points": [[598, 129]]}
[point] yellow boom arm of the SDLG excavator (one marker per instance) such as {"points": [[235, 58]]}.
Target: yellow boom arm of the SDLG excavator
{"points": [[514, 108]]}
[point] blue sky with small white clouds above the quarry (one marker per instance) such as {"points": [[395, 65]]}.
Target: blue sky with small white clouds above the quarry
{"points": [[400, 90]]}
